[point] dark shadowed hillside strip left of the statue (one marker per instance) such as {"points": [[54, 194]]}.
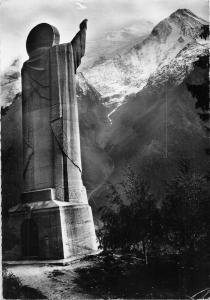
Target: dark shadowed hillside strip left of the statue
{"points": [[11, 154]]}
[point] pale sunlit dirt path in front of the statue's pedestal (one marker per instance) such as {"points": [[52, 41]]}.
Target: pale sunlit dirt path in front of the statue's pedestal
{"points": [[54, 282]]}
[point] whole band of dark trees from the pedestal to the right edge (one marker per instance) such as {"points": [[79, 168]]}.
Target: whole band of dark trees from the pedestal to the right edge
{"points": [[181, 227]]}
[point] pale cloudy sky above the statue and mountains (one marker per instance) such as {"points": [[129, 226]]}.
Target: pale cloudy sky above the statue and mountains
{"points": [[18, 17]]}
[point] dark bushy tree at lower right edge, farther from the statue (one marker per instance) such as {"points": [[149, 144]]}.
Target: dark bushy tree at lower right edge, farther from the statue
{"points": [[185, 213]]}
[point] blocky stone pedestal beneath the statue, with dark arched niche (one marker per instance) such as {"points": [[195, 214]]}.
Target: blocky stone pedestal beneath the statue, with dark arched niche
{"points": [[50, 230]]}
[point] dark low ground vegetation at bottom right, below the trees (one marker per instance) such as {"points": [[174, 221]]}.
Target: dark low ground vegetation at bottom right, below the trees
{"points": [[124, 276]]}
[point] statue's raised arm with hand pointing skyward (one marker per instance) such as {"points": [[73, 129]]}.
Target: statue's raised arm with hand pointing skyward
{"points": [[78, 44]]}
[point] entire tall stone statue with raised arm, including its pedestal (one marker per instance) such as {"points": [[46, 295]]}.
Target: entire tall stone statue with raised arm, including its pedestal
{"points": [[53, 219]]}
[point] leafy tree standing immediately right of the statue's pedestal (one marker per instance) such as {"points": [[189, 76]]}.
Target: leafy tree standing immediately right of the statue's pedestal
{"points": [[133, 222]]}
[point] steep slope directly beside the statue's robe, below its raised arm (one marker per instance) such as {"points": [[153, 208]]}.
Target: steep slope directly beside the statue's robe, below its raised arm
{"points": [[94, 125]]}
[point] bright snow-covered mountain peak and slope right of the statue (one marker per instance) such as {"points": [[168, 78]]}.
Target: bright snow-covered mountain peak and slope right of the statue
{"points": [[128, 72]]}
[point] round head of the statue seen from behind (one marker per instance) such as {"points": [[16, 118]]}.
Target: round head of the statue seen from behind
{"points": [[42, 35]]}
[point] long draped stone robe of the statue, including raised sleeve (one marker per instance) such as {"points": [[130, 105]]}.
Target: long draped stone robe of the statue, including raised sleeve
{"points": [[52, 156]]}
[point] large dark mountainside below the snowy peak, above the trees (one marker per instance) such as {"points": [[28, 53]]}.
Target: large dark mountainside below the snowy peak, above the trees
{"points": [[158, 130]]}
